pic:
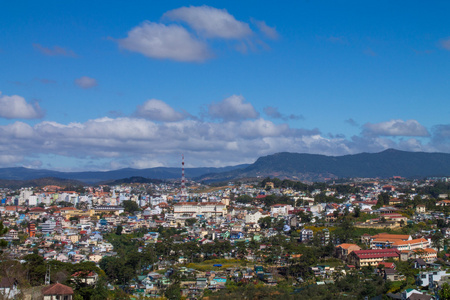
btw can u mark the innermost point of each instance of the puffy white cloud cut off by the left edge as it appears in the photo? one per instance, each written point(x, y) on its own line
point(15, 107)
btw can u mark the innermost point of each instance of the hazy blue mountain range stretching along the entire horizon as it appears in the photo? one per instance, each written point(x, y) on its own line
point(304, 167)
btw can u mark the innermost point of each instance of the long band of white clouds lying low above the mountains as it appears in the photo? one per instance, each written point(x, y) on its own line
point(233, 132)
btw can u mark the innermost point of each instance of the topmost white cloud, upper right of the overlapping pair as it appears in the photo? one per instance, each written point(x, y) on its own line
point(211, 22)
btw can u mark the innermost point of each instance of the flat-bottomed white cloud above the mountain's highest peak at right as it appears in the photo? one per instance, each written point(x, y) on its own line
point(395, 128)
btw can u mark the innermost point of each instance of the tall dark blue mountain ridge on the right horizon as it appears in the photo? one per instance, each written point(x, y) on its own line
point(313, 167)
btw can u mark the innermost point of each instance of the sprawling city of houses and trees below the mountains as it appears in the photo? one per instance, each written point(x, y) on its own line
point(259, 232)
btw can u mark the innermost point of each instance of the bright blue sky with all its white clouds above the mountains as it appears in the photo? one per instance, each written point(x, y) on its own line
point(100, 85)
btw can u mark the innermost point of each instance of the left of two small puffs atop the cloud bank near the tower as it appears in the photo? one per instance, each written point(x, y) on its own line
point(158, 110)
